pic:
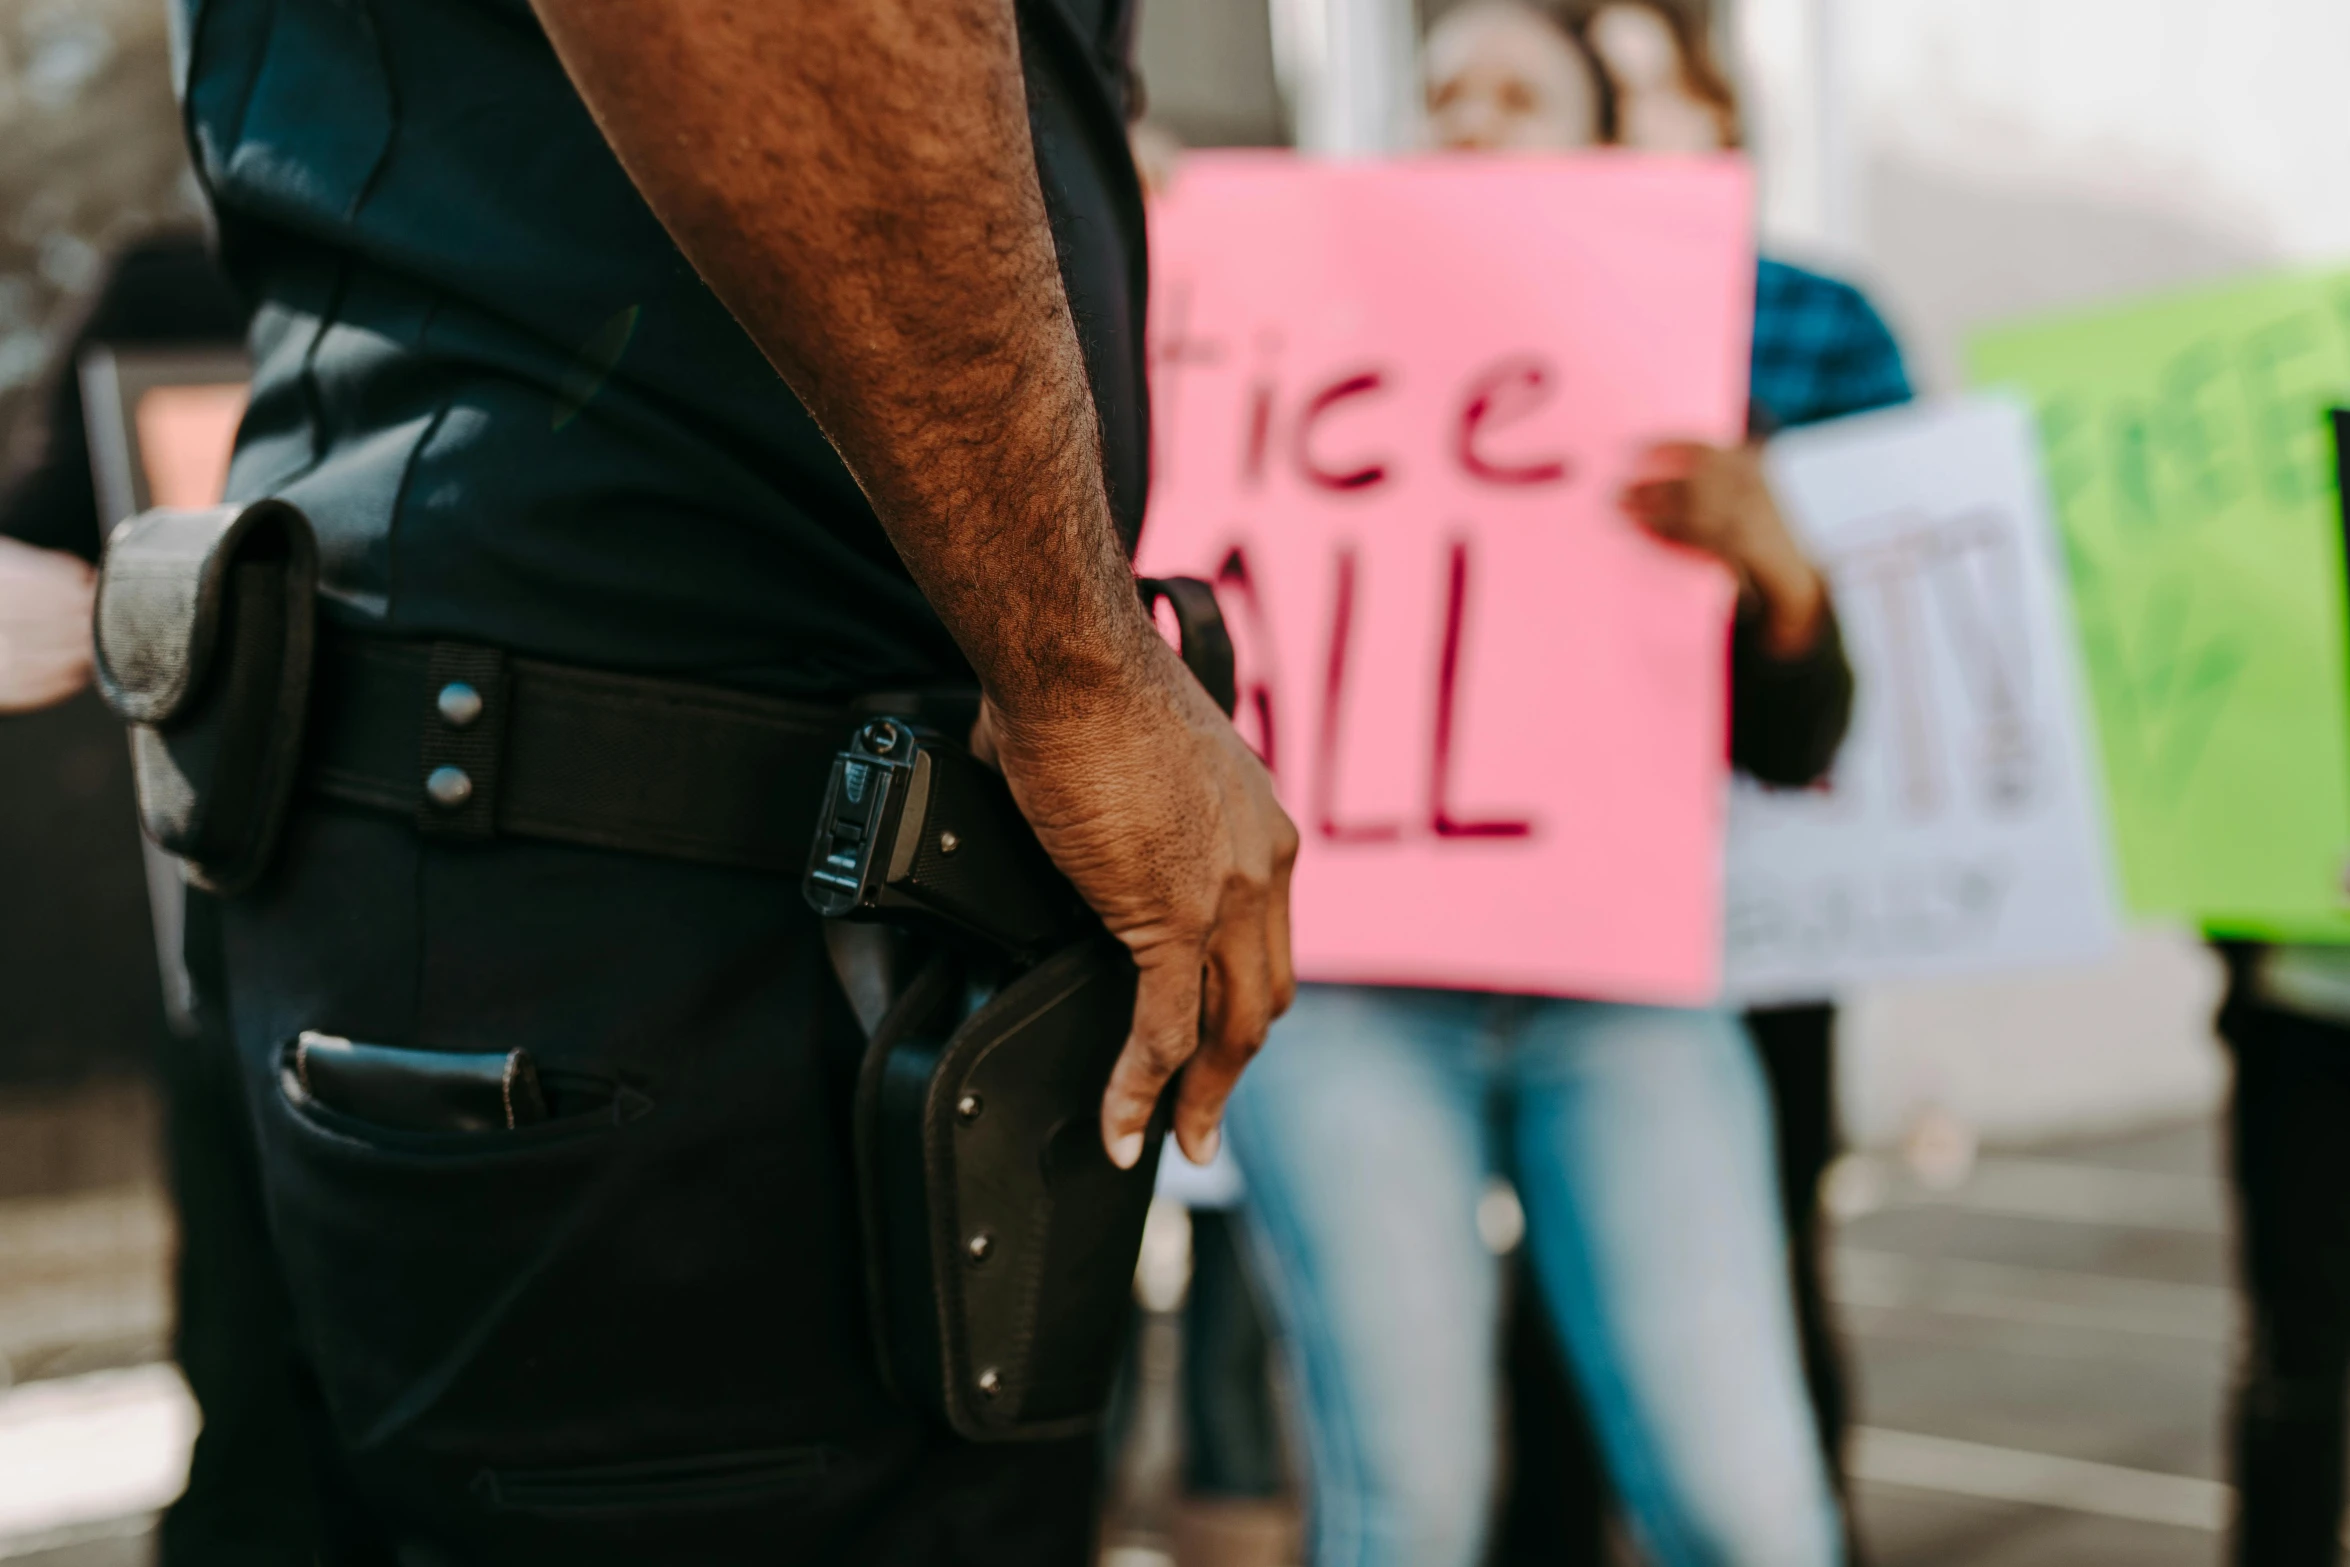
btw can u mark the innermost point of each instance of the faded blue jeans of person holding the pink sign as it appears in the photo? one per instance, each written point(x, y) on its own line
point(1639, 1143)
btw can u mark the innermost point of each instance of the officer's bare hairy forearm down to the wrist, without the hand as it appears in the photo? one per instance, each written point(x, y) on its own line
point(857, 184)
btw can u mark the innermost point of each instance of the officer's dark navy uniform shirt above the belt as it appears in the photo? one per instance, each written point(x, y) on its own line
point(506, 401)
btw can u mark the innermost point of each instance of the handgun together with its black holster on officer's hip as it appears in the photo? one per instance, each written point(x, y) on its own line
point(1000, 1242)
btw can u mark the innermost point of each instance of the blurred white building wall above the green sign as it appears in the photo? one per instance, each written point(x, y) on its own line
point(1996, 159)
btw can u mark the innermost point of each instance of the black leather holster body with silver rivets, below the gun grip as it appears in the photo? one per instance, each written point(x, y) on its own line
point(1000, 1242)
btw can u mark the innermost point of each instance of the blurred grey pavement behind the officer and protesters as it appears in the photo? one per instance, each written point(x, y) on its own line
point(2043, 1352)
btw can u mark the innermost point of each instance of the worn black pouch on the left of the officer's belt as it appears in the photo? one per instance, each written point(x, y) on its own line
point(206, 635)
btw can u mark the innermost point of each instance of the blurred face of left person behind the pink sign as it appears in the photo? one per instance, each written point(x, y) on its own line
point(1503, 79)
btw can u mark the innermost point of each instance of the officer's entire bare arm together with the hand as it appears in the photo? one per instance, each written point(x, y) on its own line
point(857, 182)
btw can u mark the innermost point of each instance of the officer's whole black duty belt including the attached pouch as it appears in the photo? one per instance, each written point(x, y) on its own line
point(210, 650)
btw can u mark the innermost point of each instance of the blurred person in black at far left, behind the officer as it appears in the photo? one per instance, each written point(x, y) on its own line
point(250, 1486)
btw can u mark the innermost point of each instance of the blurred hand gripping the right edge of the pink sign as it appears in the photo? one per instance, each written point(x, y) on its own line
point(1719, 499)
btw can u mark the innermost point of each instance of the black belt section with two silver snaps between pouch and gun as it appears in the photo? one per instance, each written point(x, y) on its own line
point(476, 744)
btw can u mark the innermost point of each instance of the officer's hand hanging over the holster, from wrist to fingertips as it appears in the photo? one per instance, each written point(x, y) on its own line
point(1162, 816)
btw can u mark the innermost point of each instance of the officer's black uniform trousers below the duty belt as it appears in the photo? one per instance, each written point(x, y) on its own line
point(624, 1336)
